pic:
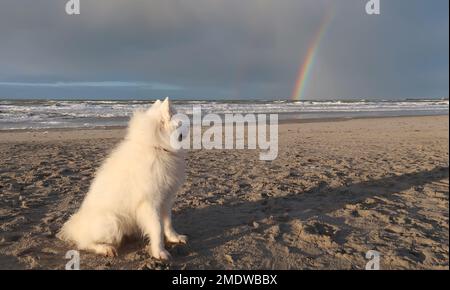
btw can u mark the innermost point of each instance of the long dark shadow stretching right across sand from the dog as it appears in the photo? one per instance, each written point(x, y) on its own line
point(212, 226)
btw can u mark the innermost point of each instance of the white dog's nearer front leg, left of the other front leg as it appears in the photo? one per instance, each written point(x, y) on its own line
point(149, 220)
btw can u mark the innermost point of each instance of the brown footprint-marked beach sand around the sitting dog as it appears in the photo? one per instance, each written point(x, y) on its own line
point(336, 190)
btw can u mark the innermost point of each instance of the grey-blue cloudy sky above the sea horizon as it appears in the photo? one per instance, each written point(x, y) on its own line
point(223, 49)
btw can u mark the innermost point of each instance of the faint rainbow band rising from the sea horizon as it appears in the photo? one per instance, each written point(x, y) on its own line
point(305, 68)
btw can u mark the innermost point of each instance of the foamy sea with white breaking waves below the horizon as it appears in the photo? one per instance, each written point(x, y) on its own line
point(48, 114)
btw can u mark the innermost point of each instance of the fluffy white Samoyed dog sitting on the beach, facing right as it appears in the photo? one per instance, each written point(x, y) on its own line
point(134, 189)
